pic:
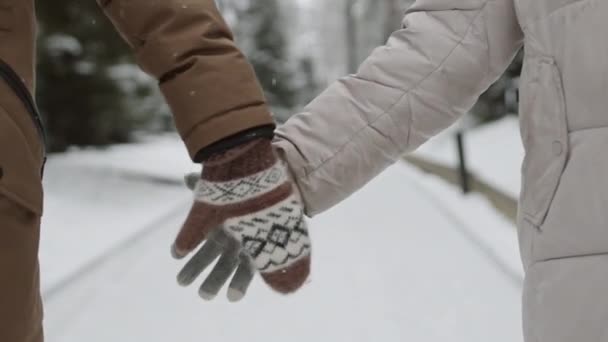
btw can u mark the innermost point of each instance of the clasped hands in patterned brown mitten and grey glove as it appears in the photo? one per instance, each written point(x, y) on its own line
point(248, 212)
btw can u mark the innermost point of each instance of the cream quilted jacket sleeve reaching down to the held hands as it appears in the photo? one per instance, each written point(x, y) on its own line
point(429, 73)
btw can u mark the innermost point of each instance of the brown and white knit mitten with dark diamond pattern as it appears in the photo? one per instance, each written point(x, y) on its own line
point(247, 192)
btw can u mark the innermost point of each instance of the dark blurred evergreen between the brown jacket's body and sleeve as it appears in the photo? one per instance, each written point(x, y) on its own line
point(84, 101)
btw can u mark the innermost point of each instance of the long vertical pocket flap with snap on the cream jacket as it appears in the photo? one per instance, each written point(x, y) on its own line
point(545, 137)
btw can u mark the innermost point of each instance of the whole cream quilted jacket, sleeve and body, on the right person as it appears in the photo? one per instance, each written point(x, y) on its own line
point(429, 74)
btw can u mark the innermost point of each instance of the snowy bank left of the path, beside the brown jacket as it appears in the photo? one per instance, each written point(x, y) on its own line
point(96, 199)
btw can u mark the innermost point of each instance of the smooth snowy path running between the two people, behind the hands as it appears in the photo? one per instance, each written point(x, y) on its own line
point(389, 265)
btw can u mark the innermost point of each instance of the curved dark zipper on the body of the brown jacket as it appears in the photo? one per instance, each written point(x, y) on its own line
point(16, 84)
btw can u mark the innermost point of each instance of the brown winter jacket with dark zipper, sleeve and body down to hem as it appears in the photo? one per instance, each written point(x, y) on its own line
point(207, 82)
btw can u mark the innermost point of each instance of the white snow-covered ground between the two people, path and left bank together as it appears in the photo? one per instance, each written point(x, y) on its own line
point(405, 259)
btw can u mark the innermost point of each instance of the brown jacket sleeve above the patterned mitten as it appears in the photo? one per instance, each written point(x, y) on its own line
point(207, 82)
